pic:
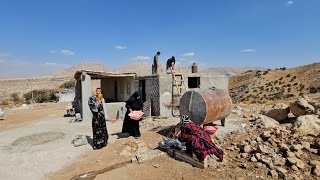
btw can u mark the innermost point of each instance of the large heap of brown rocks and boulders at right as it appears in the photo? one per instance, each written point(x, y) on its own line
point(285, 139)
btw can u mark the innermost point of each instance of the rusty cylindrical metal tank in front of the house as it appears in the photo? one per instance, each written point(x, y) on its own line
point(206, 106)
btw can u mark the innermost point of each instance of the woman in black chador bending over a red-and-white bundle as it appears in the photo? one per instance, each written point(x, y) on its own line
point(134, 103)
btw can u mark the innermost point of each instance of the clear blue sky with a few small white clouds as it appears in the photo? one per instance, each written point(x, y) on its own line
point(41, 36)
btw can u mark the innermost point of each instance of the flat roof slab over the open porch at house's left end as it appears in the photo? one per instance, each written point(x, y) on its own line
point(101, 74)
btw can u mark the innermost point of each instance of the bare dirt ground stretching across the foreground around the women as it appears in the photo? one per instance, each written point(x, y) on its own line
point(36, 144)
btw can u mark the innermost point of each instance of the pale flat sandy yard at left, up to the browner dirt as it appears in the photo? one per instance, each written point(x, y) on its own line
point(37, 141)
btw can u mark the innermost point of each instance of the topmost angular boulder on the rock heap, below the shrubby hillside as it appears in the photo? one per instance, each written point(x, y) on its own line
point(301, 107)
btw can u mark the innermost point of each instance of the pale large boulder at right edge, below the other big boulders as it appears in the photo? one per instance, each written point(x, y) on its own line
point(308, 124)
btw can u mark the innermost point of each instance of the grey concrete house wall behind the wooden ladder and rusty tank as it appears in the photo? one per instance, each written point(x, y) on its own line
point(165, 86)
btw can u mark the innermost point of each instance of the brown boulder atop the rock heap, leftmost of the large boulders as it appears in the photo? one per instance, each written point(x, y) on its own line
point(278, 111)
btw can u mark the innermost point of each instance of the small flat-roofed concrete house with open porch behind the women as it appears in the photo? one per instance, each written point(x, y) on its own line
point(158, 92)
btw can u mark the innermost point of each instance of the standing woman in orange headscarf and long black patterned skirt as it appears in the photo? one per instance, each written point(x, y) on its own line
point(99, 128)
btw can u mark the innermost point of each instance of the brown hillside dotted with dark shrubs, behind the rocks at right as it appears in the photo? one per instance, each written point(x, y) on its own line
point(280, 84)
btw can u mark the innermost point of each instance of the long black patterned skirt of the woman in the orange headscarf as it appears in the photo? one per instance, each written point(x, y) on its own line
point(100, 132)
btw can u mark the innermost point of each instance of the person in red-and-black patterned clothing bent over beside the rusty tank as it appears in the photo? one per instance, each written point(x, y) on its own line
point(197, 140)
